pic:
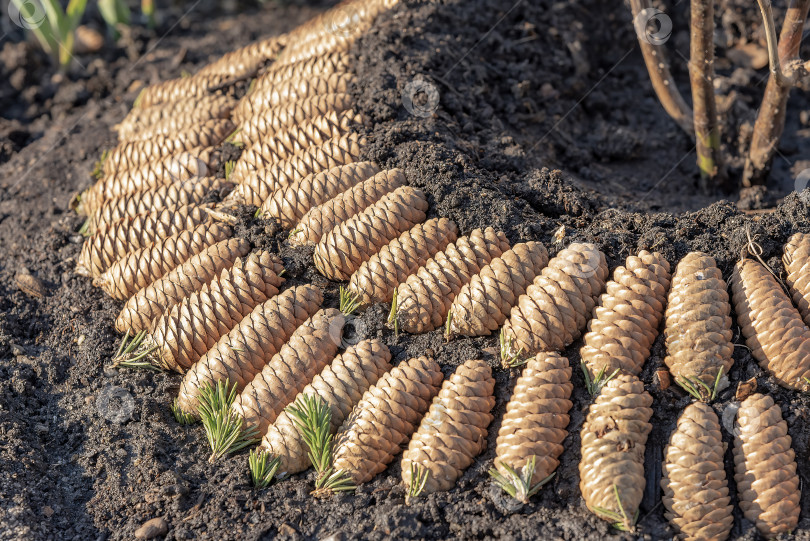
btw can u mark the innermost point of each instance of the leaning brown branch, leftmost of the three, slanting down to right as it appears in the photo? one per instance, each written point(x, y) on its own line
point(658, 68)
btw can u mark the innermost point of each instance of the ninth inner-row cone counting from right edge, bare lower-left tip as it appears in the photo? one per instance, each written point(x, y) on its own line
point(352, 243)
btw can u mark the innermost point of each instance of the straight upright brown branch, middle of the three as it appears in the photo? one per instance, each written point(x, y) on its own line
point(701, 75)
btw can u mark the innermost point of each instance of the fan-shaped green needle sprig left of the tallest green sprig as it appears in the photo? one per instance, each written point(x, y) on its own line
point(223, 428)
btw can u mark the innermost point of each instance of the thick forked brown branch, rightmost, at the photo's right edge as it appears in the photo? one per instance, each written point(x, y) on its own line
point(786, 71)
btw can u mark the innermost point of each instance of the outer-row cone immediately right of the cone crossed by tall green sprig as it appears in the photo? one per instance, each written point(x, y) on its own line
point(385, 418)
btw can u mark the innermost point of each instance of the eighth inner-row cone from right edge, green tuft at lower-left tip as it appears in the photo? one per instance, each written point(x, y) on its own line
point(377, 278)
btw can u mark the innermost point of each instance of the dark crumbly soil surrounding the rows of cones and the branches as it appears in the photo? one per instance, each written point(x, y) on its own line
point(545, 120)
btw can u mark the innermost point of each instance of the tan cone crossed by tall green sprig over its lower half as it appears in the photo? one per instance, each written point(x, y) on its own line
point(341, 385)
